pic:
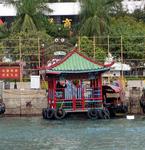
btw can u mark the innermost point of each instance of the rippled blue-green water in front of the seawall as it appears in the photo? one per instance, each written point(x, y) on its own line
point(38, 134)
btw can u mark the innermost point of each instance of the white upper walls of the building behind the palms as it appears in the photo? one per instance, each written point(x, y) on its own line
point(70, 8)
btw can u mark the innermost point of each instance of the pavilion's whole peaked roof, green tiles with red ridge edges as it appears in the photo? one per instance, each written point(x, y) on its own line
point(75, 62)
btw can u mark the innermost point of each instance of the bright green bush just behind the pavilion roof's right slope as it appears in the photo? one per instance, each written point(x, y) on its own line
point(87, 48)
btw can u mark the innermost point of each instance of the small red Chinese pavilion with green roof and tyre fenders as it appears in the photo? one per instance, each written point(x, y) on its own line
point(75, 85)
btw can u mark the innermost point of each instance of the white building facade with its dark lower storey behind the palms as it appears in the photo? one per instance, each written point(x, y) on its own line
point(64, 9)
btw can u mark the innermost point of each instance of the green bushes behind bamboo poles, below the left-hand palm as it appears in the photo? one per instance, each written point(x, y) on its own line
point(28, 43)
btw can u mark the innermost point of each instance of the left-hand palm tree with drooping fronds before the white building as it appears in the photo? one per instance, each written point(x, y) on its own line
point(30, 15)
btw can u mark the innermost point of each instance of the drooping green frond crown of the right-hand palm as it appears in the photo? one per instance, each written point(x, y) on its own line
point(94, 16)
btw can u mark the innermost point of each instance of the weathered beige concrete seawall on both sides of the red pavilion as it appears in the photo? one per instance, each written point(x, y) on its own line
point(26, 101)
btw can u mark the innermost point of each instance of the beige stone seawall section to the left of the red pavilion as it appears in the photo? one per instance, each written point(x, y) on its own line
point(24, 101)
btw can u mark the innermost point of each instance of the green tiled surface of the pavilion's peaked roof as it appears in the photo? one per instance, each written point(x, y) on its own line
point(77, 63)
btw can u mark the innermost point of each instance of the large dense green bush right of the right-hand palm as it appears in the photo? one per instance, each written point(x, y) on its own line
point(132, 33)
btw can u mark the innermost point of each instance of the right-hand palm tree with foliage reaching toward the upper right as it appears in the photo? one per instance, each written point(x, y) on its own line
point(95, 16)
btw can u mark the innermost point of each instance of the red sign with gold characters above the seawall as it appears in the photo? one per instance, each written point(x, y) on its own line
point(9, 72)
